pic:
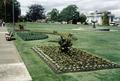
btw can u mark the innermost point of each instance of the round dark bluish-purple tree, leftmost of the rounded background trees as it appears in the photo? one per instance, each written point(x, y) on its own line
point(35, 12)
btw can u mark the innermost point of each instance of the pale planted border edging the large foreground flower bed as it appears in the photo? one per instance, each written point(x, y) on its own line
point(58, 69)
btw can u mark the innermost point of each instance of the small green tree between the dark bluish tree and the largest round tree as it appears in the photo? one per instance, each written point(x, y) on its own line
point(54, 14)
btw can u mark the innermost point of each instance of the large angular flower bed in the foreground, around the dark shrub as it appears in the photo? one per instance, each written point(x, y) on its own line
point(76, 61)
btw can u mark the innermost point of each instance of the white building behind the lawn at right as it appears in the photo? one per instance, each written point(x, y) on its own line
point(97, 16)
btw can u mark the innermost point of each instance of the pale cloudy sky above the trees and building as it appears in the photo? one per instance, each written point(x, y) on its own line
point(84, 5)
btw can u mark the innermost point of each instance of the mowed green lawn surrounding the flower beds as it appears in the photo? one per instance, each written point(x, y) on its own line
point(103, 44)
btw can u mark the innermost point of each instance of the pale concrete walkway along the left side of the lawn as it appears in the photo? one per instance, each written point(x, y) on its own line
point(12, 67)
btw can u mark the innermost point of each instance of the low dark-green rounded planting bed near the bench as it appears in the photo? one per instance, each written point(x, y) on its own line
point(28, 36)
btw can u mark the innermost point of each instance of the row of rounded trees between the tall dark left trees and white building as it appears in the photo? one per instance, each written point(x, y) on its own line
point(70, 14)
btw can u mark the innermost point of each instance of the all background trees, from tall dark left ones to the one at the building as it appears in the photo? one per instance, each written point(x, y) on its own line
point(36, 12)
